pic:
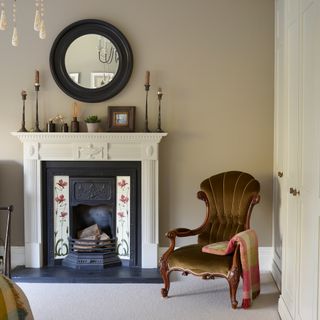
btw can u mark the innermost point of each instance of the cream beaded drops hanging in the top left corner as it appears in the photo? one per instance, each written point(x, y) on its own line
point(39, 25)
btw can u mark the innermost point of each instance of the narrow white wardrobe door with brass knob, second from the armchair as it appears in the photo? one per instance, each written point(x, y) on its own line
point(291, 239)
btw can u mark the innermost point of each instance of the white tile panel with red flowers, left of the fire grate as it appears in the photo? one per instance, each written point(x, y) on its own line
point(61, 216)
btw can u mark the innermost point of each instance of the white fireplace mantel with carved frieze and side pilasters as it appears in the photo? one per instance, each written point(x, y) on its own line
point(83, 146)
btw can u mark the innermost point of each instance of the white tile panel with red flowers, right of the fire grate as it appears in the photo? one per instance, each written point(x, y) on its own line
point(123, 216)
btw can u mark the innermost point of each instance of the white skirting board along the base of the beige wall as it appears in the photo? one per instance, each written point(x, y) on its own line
point(265, 256)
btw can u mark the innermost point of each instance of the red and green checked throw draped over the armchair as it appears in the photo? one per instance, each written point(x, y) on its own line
point(249, 261)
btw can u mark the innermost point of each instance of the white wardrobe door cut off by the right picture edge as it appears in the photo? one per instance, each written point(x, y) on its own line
point(310, 175)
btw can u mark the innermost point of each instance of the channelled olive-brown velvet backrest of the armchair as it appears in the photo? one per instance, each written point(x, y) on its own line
point(230, 195)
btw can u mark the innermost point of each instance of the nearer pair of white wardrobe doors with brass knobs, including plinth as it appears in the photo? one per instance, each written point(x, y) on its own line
point(300, 269)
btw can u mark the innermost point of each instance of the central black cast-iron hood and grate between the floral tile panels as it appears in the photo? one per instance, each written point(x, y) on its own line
point(92, 207)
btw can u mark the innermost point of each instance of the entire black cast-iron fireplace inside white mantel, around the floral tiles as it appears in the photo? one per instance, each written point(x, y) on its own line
point(92, 194)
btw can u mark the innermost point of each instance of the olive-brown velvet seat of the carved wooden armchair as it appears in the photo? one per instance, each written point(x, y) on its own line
point(191, 258)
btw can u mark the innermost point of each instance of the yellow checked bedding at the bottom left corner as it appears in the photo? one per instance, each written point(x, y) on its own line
point(14, 304)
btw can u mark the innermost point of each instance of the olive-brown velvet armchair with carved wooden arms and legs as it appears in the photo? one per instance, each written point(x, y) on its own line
point(229, 199)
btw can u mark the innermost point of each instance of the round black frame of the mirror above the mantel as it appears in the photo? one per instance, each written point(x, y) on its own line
point(58, 67)
